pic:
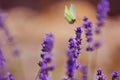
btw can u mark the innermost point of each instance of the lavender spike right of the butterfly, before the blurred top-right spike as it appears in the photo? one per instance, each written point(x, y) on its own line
point(88, 33)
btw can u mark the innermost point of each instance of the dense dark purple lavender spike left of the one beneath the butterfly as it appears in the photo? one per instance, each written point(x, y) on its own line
point(71, 62)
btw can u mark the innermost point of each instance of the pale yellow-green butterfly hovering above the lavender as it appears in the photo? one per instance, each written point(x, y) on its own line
point(70, 14)
